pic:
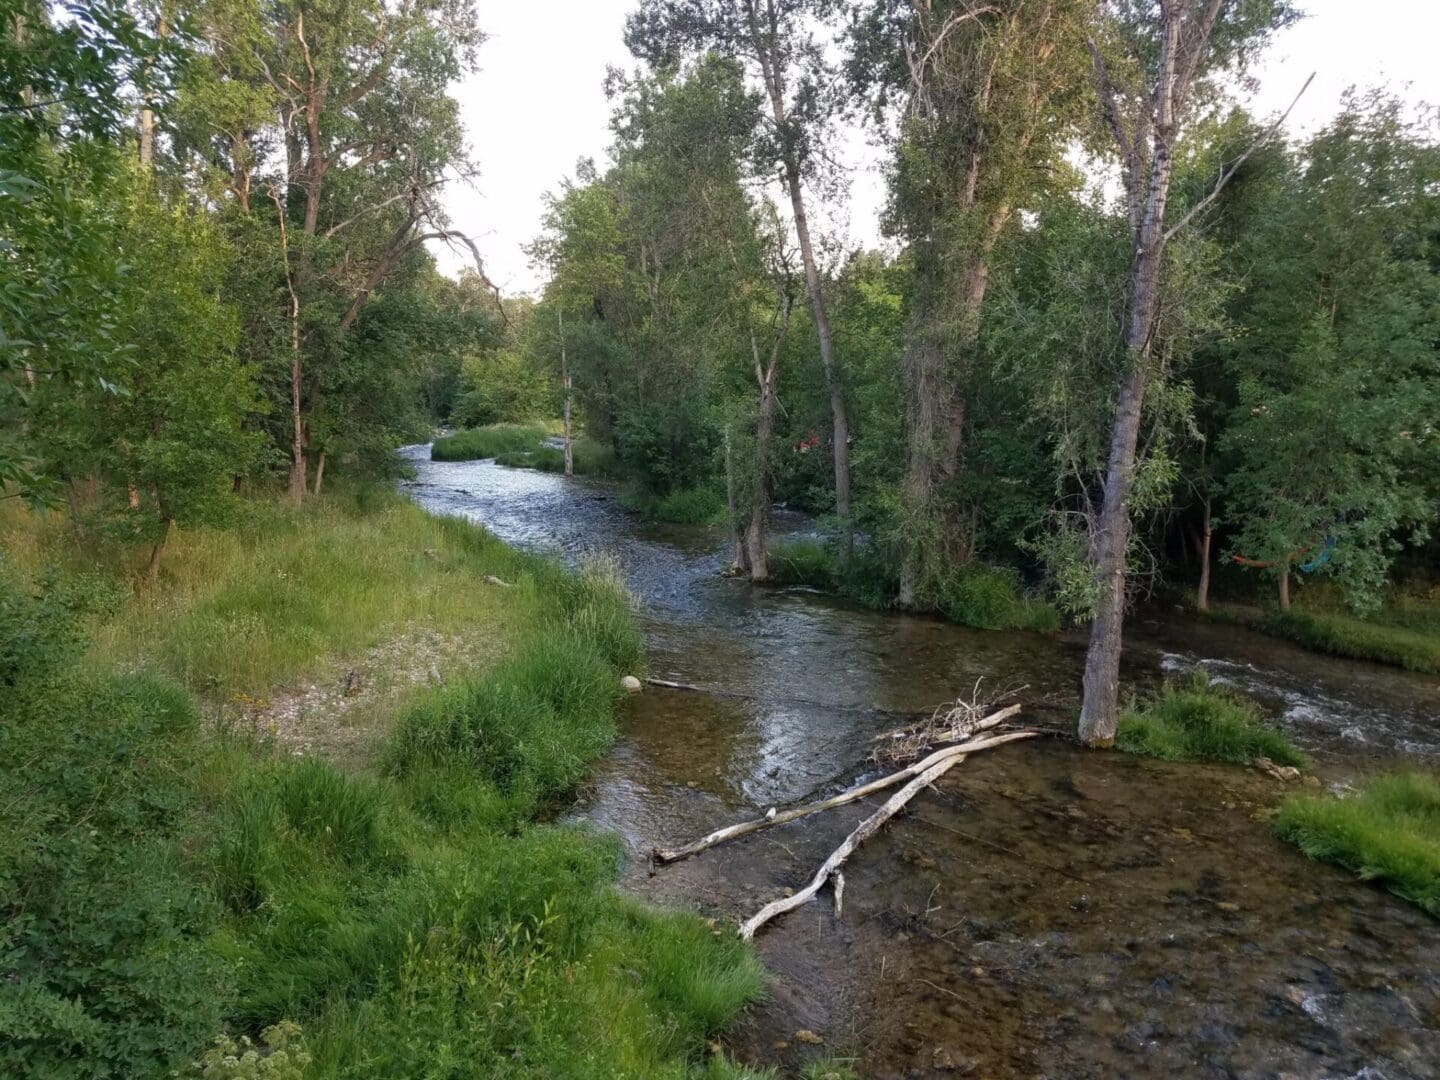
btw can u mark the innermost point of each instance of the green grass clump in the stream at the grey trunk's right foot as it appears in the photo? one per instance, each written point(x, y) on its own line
point(1197, 721)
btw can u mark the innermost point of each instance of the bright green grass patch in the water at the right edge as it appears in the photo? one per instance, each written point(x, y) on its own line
point(1389, 832)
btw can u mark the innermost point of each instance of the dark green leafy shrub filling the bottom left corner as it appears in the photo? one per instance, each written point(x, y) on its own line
point(104, 966)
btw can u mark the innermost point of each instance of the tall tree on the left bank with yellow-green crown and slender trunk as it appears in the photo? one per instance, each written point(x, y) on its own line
point(355, 97)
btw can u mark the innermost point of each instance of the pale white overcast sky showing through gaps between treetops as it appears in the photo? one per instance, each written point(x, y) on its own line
point(538, 106)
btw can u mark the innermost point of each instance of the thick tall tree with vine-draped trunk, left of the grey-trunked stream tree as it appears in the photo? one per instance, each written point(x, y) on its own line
point(989, 100)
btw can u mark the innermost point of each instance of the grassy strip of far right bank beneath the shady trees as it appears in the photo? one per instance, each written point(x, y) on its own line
point(1406, 633)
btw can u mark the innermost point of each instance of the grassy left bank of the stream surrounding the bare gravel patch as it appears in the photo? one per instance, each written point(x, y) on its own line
point(415, 917)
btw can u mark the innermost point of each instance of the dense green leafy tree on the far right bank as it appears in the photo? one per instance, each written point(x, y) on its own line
point(1331, 444)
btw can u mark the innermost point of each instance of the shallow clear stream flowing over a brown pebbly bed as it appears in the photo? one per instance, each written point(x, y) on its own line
point(1046, 911)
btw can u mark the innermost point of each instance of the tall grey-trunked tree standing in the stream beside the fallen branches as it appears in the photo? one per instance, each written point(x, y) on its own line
point(1150, 57)
